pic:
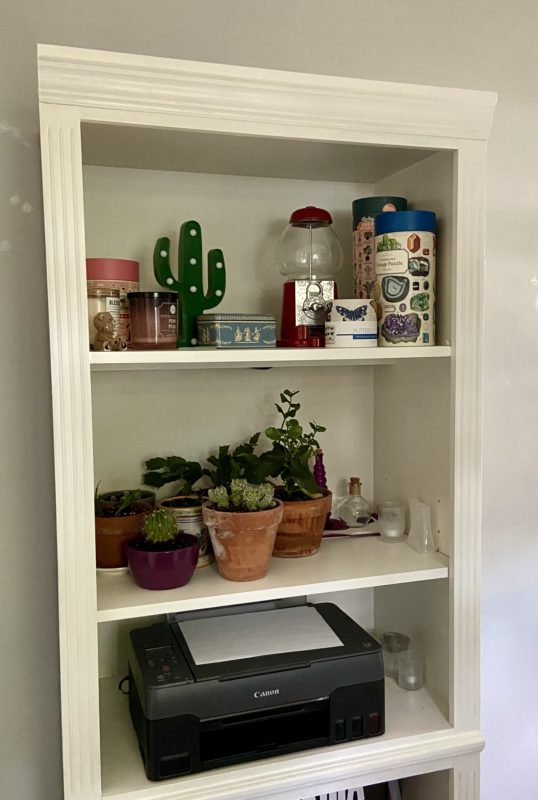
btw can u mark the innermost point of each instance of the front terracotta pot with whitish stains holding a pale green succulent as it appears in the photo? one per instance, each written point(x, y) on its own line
point(243, 541)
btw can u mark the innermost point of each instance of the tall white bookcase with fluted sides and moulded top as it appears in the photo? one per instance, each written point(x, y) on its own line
point(133, 145)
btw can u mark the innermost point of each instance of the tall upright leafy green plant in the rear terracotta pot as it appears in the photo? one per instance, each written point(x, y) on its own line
point(292, 450)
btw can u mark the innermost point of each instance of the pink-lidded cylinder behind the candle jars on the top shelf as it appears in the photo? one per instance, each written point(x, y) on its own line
point(116, 273)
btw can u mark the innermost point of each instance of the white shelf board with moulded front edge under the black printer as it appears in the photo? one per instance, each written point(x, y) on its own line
point(416, 730)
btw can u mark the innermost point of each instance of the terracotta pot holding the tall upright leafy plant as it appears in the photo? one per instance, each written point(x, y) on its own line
point(303, 522)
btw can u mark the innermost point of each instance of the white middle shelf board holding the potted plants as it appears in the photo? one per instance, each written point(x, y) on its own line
point(341, 564)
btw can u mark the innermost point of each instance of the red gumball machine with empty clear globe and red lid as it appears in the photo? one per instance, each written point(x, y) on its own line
point(309, 254)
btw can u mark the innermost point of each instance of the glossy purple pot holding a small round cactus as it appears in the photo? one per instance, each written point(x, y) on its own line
point(163, 569)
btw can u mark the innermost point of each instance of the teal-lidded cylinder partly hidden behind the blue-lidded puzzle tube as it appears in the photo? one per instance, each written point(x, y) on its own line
point(365, 209)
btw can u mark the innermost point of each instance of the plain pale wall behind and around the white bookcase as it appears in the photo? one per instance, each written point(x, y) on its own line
point(482, 44)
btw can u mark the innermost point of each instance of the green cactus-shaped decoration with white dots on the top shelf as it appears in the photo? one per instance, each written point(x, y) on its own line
point(189, 283)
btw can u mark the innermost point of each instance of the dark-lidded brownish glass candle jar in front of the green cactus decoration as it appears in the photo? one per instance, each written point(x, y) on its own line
point(153, 320)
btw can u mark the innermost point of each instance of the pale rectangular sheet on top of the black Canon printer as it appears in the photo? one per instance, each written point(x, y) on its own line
point(258, 633)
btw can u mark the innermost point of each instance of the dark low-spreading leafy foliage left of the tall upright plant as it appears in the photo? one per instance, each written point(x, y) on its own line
point(224, 466)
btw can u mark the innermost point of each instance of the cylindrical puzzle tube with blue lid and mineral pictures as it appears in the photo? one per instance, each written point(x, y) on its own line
point(405, 244)
